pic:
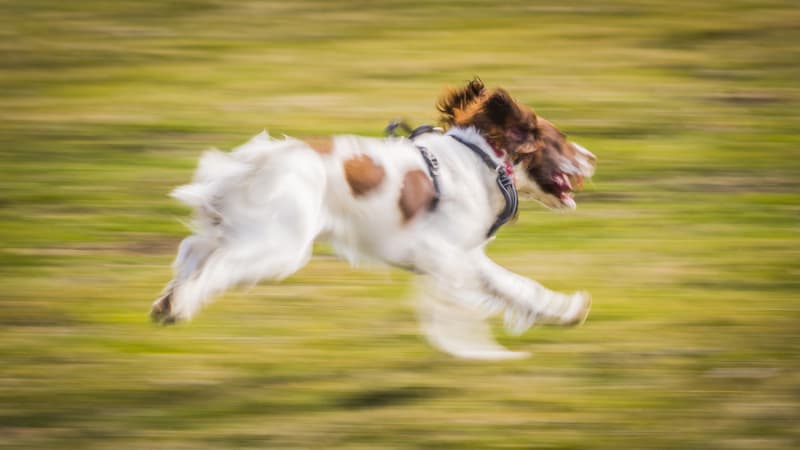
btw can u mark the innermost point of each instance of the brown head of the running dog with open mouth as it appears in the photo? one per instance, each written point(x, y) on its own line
point(546, 165)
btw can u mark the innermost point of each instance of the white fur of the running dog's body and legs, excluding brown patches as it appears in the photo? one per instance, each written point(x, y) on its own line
point(260, 208)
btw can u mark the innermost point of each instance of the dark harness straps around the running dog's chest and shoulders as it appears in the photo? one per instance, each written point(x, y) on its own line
point(505, 181)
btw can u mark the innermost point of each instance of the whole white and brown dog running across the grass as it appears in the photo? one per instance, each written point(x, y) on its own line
point(429, 205)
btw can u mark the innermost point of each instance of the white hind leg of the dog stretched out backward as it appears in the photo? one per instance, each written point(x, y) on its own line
point(266, 225)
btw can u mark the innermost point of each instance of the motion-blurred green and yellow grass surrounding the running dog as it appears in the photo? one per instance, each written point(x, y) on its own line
point(687, 238)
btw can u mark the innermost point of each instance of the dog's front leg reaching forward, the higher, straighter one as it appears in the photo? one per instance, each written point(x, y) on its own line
point(528, 302)
